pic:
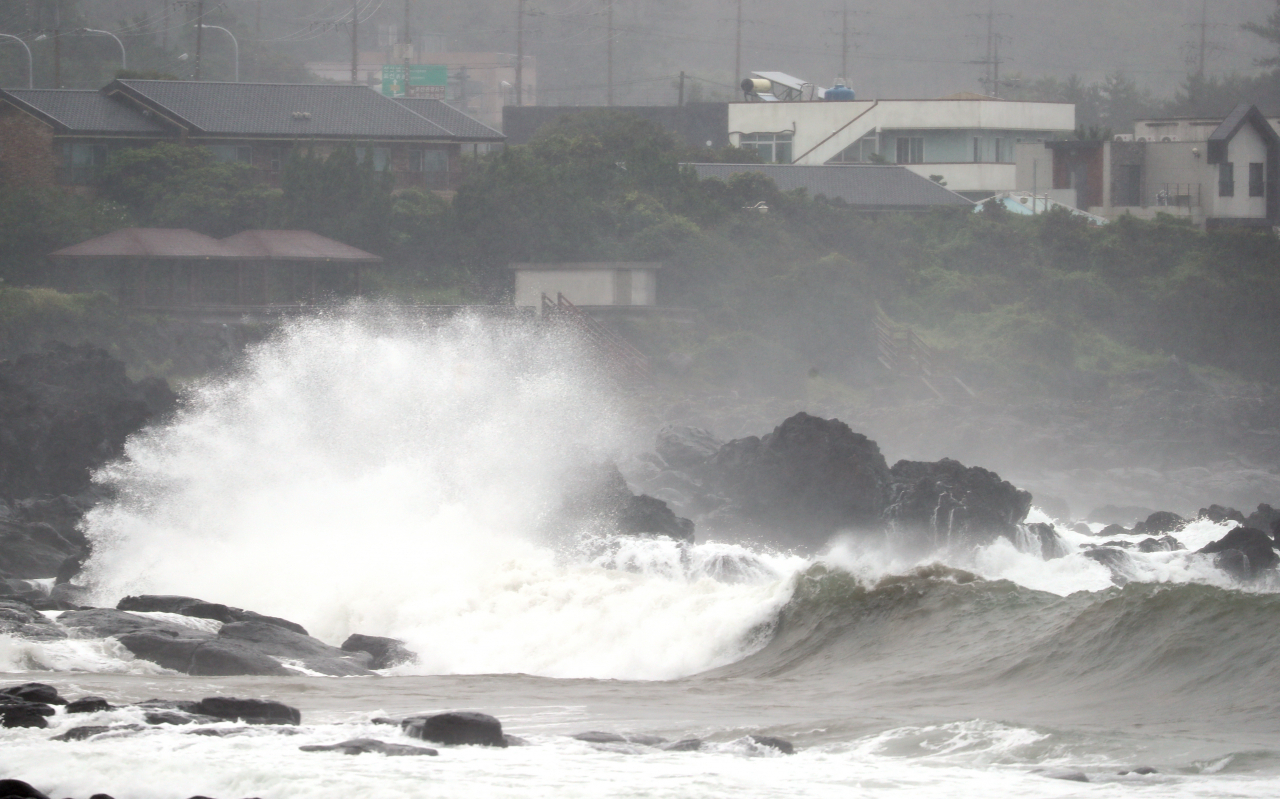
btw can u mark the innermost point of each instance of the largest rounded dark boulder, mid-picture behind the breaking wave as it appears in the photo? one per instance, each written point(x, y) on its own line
point(810, 477)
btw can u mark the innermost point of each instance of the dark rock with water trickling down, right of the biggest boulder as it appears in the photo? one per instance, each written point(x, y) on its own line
point(948, 503)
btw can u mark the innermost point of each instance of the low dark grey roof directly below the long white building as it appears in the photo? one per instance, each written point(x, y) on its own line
point(863, 185)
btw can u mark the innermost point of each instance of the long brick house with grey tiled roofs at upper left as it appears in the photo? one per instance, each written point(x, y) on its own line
point(61, 138)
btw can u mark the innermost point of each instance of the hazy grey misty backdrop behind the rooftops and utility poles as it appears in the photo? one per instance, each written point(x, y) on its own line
point(907, 49)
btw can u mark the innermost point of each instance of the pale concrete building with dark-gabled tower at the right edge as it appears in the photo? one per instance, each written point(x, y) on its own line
point(1220, 176)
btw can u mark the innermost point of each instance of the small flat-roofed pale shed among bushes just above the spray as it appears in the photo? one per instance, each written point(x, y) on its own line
point(595, 284)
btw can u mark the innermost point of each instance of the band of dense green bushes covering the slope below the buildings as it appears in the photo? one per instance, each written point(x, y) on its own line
point(1048, 304)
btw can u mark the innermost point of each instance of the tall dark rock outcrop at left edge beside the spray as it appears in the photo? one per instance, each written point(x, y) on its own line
point(66, 412)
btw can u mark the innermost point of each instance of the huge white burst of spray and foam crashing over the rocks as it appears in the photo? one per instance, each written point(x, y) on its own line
point(368, 474)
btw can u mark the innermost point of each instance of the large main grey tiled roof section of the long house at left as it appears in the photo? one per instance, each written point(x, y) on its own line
point(277, 109)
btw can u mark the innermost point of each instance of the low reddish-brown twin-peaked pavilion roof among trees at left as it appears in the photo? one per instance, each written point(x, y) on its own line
point(163, 244)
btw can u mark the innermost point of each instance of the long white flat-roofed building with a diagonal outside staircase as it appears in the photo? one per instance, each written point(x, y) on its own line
point(970, 140)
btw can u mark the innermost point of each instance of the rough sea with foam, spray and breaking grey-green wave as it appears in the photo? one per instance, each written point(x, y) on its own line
point(369, 474)
